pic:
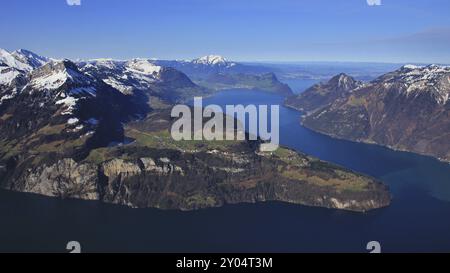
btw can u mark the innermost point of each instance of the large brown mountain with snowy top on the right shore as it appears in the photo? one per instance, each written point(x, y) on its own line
point(407, 109)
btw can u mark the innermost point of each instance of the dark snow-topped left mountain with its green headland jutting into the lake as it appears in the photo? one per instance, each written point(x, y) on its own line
point(89, 130)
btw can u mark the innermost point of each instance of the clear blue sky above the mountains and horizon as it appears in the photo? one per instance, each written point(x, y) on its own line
point(251, 30)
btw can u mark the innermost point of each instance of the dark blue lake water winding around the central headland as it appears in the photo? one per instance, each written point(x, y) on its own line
point(418, 219)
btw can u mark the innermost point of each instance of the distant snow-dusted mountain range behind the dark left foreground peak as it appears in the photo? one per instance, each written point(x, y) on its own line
point(169, 81)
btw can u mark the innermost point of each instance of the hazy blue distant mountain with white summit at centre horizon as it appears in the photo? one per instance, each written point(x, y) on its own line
point(217, 73)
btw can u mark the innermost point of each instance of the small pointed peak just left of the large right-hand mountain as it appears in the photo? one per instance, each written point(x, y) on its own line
point(322, 94)
